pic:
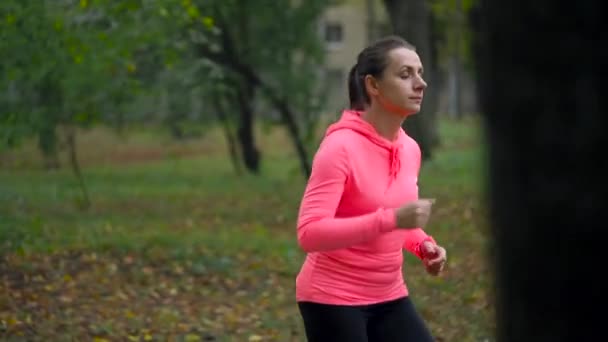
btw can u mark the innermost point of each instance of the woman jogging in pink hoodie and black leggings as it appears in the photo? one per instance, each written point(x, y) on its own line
point(360, 209)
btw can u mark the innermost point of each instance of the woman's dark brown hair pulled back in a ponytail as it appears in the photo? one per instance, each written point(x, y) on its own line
point(373, 60)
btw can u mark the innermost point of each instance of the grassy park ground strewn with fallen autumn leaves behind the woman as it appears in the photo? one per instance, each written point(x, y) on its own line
point(177, 247)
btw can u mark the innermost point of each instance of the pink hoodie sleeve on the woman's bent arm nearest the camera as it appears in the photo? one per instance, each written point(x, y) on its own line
point(318, 228)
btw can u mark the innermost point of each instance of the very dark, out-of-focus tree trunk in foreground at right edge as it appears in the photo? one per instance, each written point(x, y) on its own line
point(540, 75)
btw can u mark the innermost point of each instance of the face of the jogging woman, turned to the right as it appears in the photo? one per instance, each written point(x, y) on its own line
point(401, 87)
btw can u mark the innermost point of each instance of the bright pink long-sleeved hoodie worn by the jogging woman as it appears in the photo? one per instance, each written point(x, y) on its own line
point(346, 222)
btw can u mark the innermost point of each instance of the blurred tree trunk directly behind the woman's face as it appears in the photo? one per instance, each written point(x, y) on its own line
point(411, 19)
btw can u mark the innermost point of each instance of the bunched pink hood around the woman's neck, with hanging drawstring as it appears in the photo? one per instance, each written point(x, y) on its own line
point(352, 120)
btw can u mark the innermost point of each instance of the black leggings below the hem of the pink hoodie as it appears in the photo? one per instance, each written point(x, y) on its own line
point(393, 321)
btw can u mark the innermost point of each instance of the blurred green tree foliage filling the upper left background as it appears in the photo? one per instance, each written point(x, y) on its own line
point(85, 62)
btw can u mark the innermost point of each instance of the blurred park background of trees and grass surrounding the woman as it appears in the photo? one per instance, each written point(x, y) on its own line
point(153, 154)
